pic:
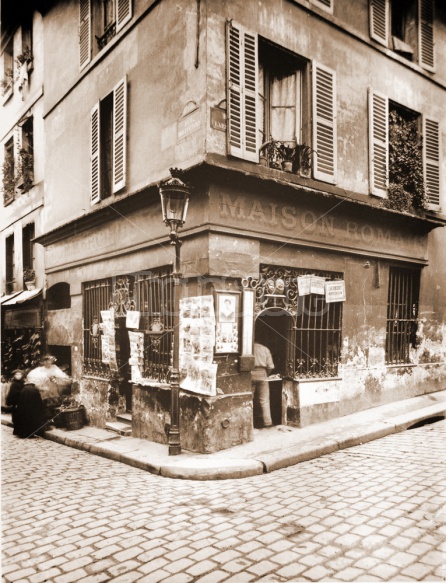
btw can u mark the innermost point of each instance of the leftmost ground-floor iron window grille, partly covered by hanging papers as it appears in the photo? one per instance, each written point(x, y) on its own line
point(97, 297)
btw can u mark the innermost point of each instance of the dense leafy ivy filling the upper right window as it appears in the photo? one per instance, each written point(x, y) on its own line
point(406, 181)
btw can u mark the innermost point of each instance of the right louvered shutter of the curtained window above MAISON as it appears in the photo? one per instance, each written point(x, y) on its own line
point(324, 123)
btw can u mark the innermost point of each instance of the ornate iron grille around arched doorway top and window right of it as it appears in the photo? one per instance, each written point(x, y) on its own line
point(314, 342)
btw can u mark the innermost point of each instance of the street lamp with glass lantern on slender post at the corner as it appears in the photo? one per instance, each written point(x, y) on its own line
point(174, 201)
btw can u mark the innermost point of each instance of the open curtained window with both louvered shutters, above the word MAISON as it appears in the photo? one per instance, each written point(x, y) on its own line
point(271, 103)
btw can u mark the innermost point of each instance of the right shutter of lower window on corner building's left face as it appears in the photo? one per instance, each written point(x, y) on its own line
point(119, 134)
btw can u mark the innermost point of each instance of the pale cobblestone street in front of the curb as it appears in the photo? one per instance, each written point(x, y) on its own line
point(374, 512)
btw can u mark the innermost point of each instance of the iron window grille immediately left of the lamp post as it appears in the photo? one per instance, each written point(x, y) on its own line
point(154, 292)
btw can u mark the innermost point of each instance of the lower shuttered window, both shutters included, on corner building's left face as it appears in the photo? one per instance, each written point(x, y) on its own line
point(108, 143)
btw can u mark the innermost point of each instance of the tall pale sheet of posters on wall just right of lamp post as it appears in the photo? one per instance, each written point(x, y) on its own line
point(197, 340)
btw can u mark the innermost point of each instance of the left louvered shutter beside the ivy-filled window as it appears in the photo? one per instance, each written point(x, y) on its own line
point(378, 143)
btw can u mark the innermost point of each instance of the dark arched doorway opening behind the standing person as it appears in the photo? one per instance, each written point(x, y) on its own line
point(274, 329)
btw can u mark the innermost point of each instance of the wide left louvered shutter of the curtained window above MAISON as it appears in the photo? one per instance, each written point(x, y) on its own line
point(242, 67)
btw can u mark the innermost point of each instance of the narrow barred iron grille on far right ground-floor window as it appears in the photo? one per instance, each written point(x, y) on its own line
point(402, 313)
